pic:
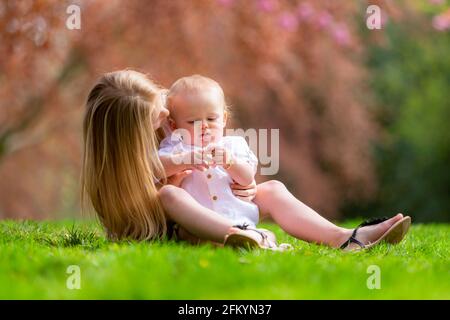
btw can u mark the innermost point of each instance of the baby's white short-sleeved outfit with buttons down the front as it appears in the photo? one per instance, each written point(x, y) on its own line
point(211, 188)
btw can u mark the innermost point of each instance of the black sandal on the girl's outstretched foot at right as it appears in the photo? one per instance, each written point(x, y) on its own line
point(393, 235)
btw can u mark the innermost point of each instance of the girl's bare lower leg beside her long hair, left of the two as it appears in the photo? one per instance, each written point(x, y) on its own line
point(192, 216)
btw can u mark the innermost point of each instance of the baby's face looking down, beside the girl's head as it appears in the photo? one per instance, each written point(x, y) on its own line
point(201, 115)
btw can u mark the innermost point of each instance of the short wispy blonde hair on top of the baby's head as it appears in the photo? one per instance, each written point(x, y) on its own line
point(195, 84)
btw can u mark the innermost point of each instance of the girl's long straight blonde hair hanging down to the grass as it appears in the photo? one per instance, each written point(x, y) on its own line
point(120, 163)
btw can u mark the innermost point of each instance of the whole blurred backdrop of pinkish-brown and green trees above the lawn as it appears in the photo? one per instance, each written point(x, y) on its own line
point(363, 114)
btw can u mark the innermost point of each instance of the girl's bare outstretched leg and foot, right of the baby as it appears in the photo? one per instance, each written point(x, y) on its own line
point(300, 221)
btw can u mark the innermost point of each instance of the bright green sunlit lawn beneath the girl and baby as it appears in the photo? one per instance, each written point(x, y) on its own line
point(34, 257)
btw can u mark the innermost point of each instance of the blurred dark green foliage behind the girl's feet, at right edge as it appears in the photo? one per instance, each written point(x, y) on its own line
point(411, 80)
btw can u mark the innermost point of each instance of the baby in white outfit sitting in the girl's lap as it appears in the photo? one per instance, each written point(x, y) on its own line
point(198, 115)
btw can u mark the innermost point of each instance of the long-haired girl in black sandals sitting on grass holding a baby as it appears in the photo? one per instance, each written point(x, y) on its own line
point(121, 164)
